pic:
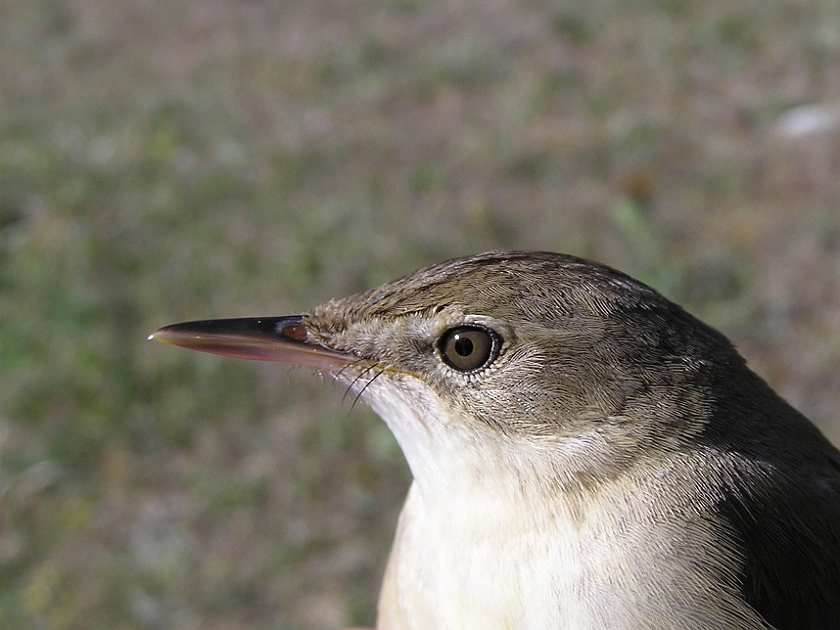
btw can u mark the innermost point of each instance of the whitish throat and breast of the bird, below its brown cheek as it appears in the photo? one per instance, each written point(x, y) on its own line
point(480, 544)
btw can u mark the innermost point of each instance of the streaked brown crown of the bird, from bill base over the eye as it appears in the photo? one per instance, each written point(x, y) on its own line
point(531, 295)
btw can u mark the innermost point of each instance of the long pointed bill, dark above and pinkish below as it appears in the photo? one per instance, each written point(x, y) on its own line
point(262, 338)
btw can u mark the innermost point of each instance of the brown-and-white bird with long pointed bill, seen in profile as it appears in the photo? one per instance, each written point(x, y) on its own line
point(585, 454)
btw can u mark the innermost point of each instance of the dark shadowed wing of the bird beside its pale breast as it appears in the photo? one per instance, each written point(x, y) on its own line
point(788, 527)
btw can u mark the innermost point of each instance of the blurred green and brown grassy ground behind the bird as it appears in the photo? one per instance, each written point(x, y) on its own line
point(182, 159)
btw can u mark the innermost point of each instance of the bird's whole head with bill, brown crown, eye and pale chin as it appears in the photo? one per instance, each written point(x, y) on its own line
point(545, 361)
